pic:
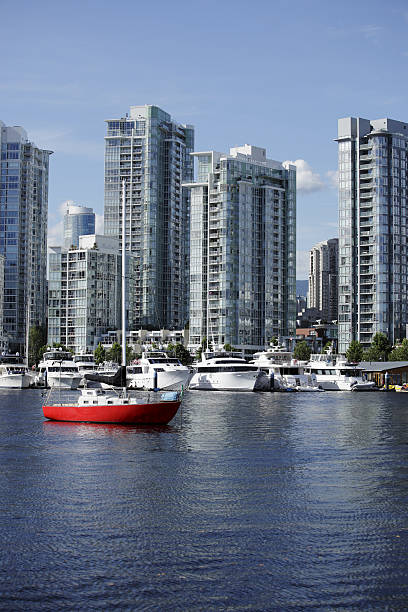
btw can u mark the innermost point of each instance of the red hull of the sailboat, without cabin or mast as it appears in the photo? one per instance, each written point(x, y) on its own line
point(159, 413)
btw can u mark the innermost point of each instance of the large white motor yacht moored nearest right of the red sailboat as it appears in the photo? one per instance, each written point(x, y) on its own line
point(224, 372)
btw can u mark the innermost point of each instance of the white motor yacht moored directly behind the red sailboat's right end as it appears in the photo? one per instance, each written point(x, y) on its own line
point(156, 370)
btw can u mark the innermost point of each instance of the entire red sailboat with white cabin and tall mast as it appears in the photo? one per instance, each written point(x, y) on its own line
point(114, 405)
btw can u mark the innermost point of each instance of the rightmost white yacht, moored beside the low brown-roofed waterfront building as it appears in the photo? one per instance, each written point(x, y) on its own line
point(333, 373)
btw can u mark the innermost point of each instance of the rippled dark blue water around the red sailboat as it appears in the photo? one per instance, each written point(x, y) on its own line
point(245, 502)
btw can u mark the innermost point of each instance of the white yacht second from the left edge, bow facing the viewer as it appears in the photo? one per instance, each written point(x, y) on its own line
point(57, 369)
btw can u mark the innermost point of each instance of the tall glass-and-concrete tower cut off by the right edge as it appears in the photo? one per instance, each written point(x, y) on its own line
point(373, 228)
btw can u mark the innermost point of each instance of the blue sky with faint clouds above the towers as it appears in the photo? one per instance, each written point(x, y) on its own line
point(270, 73)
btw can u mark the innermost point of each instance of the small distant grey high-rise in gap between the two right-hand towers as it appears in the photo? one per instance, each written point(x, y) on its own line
point(323, 276)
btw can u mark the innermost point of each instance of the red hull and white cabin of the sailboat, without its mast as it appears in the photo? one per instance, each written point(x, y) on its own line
point(99, 406)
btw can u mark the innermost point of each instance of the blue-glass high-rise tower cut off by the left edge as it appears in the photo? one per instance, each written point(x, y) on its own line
point(23, 233)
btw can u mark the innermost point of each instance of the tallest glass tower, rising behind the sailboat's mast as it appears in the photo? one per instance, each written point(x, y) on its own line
point(151, 153)
